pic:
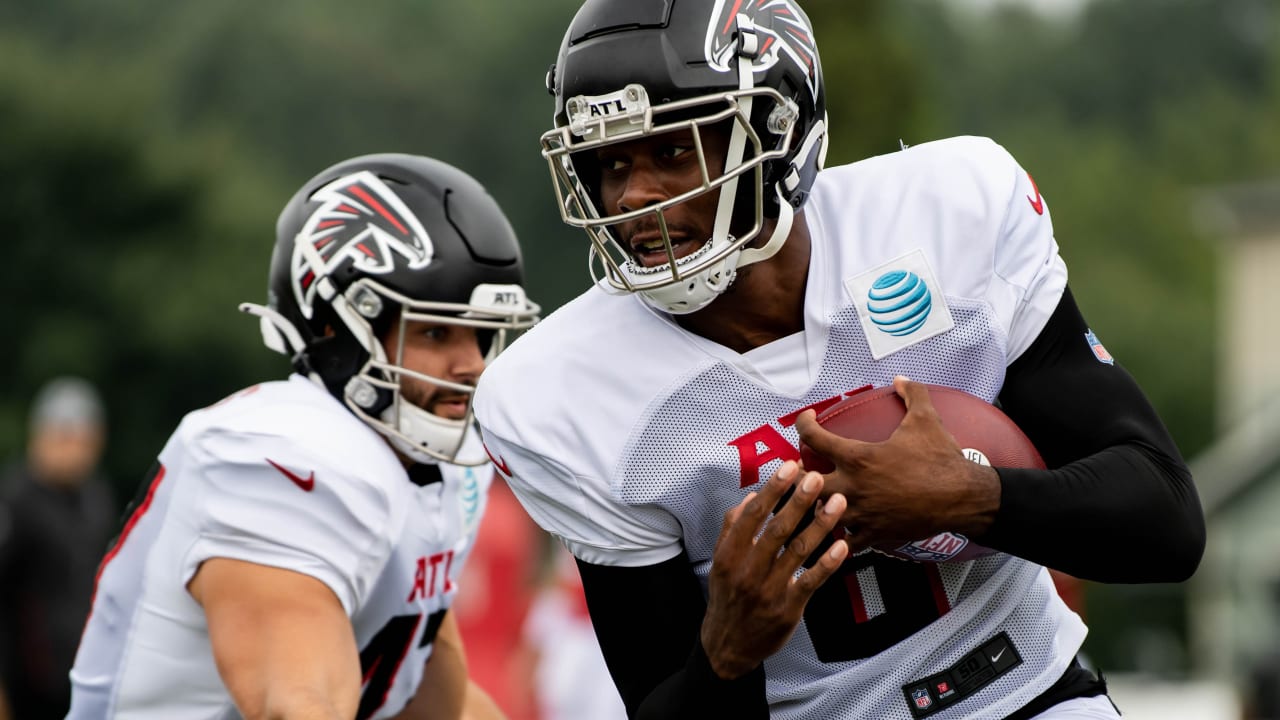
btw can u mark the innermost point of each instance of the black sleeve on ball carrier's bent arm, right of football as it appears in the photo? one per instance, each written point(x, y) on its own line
point(1119, 504)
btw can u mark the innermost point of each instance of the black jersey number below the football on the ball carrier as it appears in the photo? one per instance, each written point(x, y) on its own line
point(872, 604)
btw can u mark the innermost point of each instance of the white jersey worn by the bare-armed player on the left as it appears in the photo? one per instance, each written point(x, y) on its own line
point(280, 475)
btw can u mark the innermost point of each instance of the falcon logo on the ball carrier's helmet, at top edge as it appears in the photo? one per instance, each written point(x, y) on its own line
point(783, 28)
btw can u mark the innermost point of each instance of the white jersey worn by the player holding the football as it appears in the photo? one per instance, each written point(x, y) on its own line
point(629, 439)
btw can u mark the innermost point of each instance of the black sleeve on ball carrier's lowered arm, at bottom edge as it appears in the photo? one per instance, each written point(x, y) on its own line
point(648, 622)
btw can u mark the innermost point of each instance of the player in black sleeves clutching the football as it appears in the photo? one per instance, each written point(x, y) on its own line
point(740, 289)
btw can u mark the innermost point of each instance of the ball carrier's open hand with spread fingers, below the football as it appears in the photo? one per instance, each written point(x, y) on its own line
point(755, 598)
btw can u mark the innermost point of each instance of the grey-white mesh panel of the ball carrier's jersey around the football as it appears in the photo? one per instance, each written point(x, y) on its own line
point(679, 458)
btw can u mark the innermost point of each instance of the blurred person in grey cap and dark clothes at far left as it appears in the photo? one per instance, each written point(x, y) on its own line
point(57, 516)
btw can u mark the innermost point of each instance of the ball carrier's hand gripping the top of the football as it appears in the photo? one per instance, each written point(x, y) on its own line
point(915, 485)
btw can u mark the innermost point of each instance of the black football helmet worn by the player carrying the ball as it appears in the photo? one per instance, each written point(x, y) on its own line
point(634, 69)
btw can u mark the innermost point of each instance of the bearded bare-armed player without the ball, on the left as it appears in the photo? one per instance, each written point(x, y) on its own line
point(299, 544)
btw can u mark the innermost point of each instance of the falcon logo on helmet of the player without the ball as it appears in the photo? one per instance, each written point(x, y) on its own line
point(363, 221)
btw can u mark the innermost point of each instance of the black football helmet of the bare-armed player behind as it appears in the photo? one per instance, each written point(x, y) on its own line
point(391, 239)
